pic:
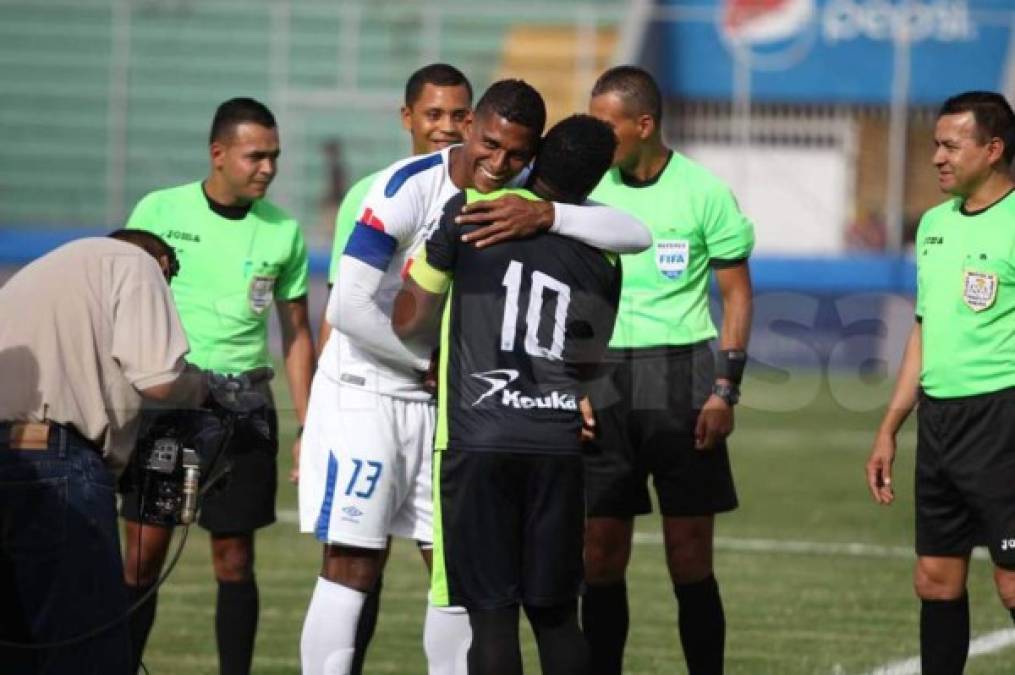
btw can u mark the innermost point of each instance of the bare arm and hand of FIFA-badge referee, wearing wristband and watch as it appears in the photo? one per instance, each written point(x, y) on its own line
point(716, 421)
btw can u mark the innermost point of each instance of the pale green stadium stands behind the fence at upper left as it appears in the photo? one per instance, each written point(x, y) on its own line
point(106, 100)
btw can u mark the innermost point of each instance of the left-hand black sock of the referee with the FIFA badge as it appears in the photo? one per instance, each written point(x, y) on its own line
point(604, 622)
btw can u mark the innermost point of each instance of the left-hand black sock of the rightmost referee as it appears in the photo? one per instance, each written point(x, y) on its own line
point(944, 636)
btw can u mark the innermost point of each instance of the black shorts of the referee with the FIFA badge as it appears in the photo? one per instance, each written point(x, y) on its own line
point(647, 409)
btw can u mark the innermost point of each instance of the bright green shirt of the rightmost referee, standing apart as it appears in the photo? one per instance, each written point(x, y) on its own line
point(966, 299)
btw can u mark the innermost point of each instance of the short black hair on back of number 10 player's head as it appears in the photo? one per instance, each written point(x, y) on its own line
point(574, 157)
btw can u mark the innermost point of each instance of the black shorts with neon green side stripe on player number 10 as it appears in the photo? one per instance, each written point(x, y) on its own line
point(508, 530)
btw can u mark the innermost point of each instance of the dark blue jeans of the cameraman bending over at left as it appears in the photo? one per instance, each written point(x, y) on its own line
point(60, 569)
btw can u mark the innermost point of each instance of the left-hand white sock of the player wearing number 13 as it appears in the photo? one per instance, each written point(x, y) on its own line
point(329, 639)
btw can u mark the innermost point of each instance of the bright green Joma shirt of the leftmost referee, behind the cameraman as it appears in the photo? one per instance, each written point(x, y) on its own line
point(231, 272)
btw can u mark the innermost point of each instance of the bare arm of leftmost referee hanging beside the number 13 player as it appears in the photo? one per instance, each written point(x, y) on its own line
point(298, 350)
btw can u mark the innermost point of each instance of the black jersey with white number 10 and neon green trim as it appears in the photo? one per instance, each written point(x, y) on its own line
point(527, 321)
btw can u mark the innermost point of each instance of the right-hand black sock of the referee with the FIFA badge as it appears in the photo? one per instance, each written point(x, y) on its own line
point(703, 626)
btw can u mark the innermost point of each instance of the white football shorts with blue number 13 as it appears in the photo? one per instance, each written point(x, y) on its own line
point(365, 466)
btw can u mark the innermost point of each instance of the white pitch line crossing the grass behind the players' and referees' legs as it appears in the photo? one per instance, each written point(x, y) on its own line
point(852, 550)
